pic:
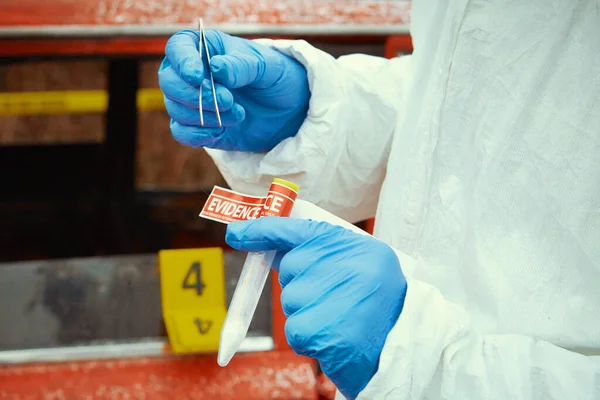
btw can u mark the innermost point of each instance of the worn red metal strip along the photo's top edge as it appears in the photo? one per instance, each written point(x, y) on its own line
point(161, 12)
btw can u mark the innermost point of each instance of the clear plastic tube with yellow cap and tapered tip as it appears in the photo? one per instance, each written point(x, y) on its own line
point(279, 202)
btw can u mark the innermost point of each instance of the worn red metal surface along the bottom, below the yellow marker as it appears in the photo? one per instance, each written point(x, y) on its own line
point(272, 375)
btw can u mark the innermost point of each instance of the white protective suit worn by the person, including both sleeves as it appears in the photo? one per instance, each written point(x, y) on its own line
point(480, 154)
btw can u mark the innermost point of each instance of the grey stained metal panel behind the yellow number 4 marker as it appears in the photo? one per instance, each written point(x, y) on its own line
point(46, 304)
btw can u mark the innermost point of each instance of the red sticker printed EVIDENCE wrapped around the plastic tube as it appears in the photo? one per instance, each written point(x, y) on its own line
point(227, 206)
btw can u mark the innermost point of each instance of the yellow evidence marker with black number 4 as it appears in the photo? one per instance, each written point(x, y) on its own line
point(192, 286)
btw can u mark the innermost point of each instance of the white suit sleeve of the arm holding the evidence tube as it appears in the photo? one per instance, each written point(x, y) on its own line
point(433, 338)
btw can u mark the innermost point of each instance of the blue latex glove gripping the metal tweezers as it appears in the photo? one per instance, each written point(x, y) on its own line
point(262, 94)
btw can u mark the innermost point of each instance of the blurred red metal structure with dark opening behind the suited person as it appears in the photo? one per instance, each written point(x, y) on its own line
point(92, 186)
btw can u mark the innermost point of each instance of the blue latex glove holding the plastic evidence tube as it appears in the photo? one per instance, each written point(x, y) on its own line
point(342, 292)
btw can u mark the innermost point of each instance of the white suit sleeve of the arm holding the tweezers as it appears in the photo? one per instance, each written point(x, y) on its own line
point(338, 158)
